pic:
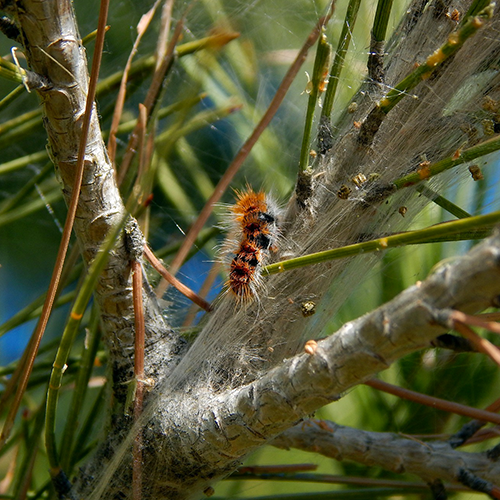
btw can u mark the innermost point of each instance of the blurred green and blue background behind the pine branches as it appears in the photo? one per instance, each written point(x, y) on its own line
point(246, 72)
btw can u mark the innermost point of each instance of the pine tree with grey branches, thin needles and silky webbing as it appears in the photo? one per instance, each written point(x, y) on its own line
point(184, 407)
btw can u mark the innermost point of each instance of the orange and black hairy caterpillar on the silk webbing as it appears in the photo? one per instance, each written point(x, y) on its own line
point(256, 220)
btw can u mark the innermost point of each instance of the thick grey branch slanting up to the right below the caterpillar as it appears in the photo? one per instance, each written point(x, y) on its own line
point(214, 432)
